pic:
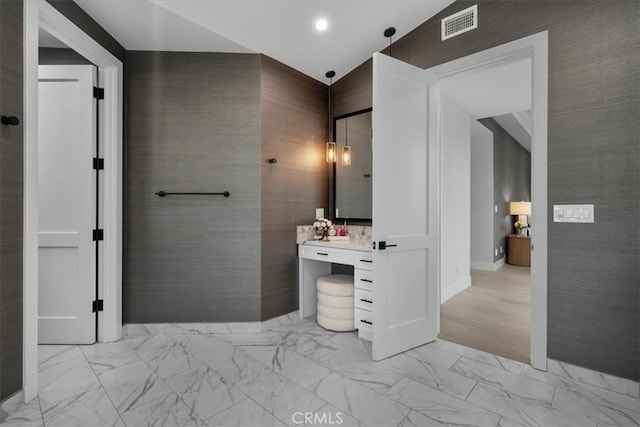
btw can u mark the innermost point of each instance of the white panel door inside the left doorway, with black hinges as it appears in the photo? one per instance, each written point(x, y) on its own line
point(66, 204)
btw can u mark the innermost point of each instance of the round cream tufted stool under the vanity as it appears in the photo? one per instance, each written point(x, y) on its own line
point(335, 302)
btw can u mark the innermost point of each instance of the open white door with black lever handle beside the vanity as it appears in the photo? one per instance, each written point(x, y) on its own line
point(405, 207)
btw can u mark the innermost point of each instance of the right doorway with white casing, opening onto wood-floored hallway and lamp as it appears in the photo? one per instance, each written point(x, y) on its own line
point(502, 84)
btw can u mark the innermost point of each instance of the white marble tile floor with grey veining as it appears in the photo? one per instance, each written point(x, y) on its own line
point(301, 374)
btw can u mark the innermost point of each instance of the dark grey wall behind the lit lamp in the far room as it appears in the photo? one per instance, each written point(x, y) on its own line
point(511, 182)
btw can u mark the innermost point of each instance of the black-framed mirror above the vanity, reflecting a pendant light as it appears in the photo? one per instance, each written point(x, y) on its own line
point(352, 183)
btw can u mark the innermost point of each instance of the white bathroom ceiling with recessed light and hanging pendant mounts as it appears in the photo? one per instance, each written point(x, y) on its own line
point(283, 29)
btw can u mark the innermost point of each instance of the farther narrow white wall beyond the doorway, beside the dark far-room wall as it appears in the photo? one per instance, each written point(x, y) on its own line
point(482, 203)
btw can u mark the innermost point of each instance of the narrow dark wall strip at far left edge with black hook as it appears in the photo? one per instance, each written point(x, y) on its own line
point(11, 192)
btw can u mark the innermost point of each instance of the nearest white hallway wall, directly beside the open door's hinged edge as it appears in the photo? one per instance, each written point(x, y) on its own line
point(456, 203)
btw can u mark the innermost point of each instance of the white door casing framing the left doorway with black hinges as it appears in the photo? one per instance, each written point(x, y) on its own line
point(39, 13)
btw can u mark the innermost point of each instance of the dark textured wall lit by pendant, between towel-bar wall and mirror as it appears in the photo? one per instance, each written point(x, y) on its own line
point(294, 130)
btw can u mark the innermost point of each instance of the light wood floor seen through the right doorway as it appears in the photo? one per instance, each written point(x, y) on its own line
point(493, 314)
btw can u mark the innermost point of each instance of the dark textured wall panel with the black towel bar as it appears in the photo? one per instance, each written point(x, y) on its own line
point(193, 126)
